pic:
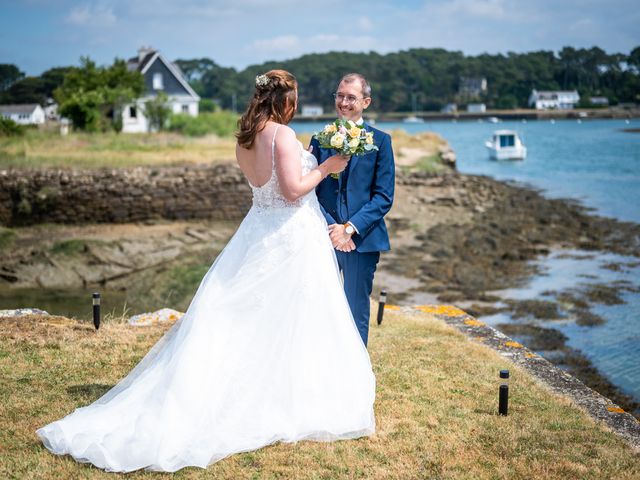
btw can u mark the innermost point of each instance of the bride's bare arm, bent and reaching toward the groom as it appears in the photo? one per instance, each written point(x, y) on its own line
point(289, 170)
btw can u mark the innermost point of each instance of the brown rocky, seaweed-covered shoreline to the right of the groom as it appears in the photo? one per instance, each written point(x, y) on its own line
point(459, 238)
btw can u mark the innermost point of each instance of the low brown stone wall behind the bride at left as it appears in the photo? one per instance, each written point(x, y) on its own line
point(122, 195)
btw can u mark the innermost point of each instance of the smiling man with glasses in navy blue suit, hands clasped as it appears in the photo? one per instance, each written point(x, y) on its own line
point(356, 203)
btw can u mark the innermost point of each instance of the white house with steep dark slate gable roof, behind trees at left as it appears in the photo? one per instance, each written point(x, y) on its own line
point(160, 75)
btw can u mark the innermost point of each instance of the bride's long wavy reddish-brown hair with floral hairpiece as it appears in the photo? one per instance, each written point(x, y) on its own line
point(274, 99)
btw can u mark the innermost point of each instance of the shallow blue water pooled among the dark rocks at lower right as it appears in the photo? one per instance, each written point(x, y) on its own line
point(614, 346)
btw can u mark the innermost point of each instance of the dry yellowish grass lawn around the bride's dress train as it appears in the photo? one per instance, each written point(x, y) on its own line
point(435, 410)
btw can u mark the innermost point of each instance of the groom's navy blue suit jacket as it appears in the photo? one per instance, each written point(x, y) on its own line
point(367, 193)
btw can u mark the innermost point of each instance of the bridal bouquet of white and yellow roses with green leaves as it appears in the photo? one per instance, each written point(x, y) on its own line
point(346, 138)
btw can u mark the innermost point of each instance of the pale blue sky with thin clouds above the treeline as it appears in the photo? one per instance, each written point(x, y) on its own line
point(37, 35)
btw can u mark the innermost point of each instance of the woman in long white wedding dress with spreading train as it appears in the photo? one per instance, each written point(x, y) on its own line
point(267, 351)
